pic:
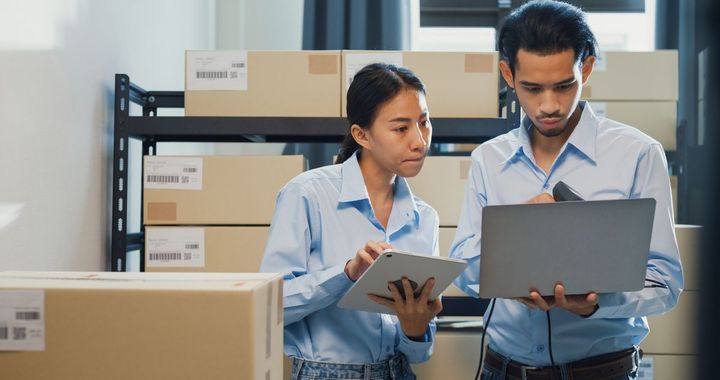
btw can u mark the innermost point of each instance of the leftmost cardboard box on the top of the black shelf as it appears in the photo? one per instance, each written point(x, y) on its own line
point(262, 83)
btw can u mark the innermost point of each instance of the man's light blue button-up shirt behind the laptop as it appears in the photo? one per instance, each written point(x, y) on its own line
point(602, 159)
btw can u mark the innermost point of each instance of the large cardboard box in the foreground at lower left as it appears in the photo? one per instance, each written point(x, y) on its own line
point(96, 325)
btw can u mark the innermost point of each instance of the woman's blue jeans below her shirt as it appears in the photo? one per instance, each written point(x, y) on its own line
point(396, 368)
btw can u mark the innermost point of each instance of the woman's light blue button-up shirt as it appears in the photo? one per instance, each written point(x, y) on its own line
point(322, 218)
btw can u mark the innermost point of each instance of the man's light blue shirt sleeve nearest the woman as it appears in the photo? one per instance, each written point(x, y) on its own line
point(466, 245)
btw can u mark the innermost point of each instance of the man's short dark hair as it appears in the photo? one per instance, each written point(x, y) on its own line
point(546, 27)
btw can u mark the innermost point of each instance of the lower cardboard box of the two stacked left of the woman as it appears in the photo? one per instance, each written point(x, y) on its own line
point(204, 249)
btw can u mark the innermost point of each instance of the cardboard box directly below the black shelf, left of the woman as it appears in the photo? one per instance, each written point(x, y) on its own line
point(212, 190)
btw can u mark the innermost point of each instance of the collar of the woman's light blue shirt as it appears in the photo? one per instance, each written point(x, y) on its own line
point(353, 189)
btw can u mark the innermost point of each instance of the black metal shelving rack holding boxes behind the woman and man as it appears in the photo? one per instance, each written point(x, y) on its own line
point(151, 129)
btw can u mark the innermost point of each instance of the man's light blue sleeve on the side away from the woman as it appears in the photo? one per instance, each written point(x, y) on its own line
point(664, 277)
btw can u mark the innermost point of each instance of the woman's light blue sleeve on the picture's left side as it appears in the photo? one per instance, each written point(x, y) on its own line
point(289, 244)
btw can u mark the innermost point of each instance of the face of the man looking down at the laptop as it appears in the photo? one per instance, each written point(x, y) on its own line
point(548, 87)
